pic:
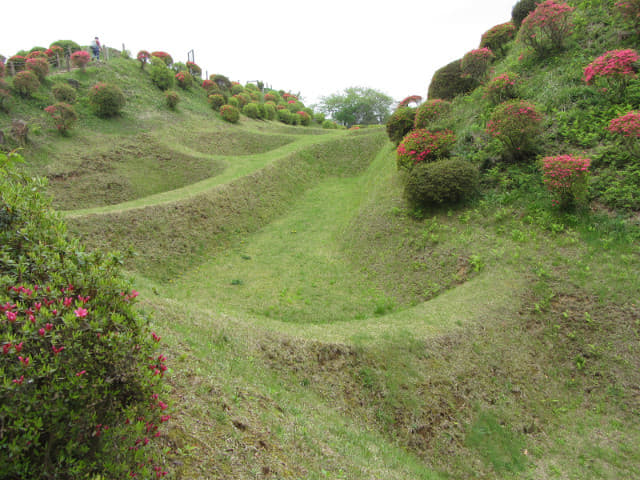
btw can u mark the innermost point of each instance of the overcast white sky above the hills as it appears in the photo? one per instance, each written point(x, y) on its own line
point(315, 48)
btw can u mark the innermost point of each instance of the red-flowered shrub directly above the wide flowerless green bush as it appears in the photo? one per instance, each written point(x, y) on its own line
point(422, 146)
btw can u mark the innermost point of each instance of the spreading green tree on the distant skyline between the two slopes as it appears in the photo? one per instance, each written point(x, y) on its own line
point(357, 105)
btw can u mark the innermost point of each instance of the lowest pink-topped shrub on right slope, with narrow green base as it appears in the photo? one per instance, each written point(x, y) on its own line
point(566, 178)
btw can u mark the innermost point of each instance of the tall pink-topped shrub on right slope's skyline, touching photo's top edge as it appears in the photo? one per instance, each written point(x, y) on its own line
point(547, 27)
